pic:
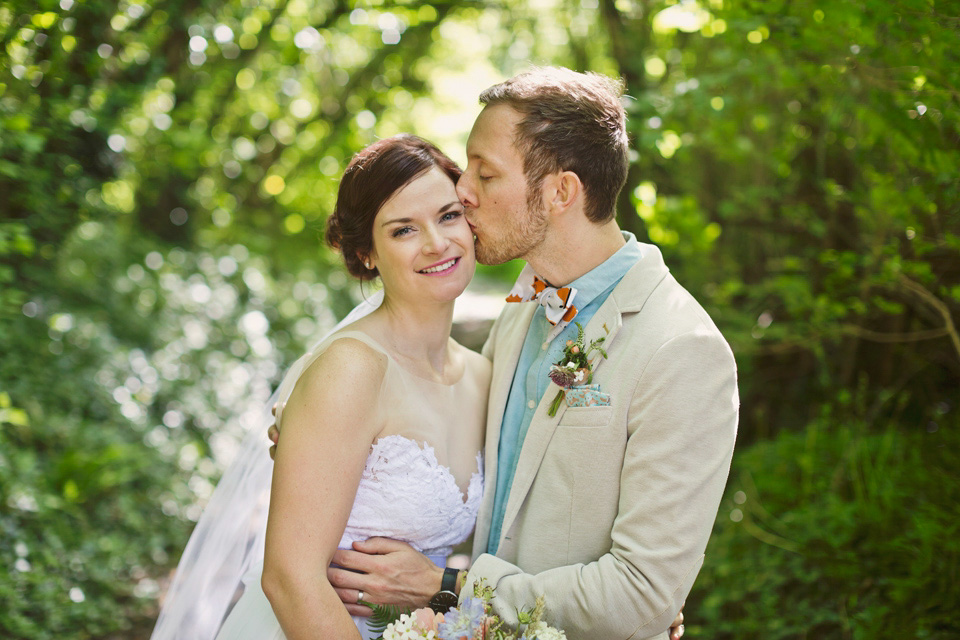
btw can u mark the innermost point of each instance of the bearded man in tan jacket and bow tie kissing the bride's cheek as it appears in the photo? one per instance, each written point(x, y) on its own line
point(605, 510)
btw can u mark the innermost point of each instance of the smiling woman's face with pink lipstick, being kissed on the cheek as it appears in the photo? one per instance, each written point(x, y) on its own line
point(422, 244)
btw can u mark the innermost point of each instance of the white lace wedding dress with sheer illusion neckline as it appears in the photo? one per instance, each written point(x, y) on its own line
point(404, 493)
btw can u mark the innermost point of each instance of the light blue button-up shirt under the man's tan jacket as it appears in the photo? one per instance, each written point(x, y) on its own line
point(530, 380)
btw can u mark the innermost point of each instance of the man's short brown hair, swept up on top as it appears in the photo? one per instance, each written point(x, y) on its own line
point(570, 122)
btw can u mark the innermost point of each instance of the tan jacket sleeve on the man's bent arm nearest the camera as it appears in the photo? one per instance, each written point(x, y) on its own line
point(681, 429)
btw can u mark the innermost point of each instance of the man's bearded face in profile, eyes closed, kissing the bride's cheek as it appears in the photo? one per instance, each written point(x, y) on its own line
point(493, 189)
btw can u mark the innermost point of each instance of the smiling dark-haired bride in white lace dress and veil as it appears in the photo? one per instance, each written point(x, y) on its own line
point(382, 421)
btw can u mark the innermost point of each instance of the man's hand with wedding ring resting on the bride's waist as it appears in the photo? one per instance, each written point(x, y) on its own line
point(391, 572)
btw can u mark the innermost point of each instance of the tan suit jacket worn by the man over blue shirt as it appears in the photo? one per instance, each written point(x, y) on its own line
point(611, 507)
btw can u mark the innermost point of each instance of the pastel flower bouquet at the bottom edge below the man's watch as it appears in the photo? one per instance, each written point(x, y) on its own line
point(471, 620)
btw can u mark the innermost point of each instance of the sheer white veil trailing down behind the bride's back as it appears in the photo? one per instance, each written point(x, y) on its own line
point(228, 538)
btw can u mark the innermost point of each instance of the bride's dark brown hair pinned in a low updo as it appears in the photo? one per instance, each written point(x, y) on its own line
point(371, 178)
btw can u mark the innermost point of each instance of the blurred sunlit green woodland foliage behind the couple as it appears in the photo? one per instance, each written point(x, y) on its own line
point(166, 168)
